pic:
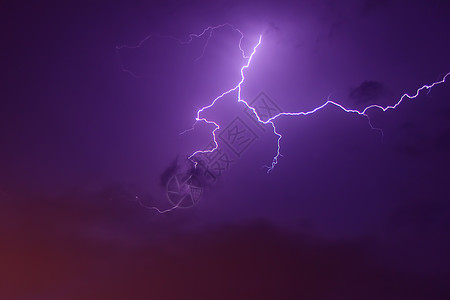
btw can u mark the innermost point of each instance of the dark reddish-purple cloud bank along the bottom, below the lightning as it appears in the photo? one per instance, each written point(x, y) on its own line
point(246, 261)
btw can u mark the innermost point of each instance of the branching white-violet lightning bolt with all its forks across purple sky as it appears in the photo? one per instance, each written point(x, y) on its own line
point(238, 87)
